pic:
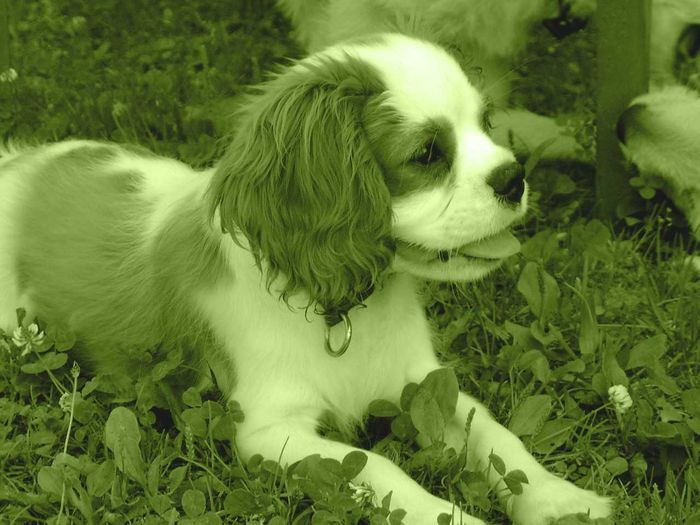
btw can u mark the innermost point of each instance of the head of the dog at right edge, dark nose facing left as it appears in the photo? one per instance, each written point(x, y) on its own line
point(660, 134)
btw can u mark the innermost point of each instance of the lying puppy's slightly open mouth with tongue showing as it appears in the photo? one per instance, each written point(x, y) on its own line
point(492, 249)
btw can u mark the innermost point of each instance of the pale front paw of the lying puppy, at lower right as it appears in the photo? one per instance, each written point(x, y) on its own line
point(543, 502)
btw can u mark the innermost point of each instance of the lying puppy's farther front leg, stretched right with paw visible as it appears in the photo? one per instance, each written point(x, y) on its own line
point(545, 497)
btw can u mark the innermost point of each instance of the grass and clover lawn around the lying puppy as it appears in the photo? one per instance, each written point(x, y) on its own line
point(585, 307)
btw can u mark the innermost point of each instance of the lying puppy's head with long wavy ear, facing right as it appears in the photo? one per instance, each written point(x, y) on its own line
point(369, 156)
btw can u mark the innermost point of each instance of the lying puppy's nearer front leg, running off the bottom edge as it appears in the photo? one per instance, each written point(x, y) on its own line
point(294, 439)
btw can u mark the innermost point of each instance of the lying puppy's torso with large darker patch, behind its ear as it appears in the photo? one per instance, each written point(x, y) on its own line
point(119, 285)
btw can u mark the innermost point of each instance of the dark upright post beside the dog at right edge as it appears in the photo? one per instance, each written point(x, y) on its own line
point(623, 73)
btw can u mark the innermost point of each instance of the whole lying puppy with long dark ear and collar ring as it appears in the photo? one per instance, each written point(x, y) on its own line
point(351, 175)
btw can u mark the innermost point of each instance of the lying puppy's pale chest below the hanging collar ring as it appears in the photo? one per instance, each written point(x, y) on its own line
point(278, 352)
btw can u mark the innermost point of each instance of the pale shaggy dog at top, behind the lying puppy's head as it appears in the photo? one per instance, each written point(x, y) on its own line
point(488, 34)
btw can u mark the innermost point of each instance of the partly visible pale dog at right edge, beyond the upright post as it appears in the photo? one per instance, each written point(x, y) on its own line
point(660, 131)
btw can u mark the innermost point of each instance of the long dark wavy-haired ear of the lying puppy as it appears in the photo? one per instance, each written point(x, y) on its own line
point(301, 183)
